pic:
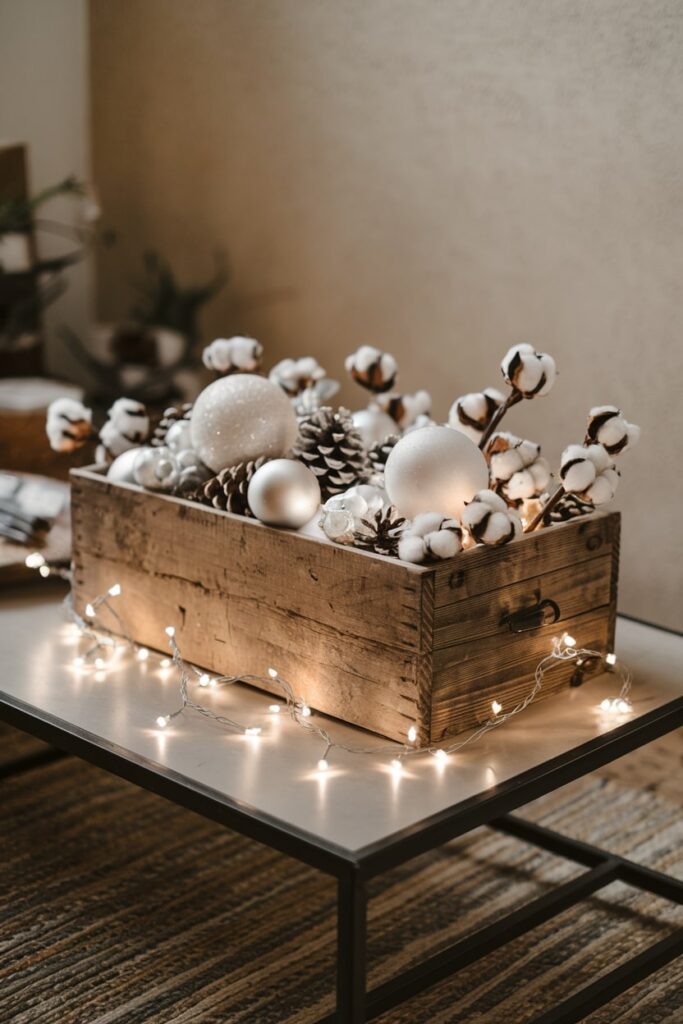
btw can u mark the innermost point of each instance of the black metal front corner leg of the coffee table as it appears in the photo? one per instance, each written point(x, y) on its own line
point(352, 932)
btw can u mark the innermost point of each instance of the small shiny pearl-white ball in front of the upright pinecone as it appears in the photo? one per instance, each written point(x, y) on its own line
point(284, 493)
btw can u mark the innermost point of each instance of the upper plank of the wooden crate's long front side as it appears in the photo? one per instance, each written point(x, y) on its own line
point(364, 596)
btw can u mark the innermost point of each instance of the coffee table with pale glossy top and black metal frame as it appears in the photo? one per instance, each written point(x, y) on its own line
point(359, 819)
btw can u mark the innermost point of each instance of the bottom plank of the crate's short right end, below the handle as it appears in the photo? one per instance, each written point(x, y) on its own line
point(469, 677)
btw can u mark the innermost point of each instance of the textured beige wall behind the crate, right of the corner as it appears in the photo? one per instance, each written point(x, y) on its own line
point(439, 179)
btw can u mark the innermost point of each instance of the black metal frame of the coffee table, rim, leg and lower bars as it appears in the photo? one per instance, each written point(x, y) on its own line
point(355, 1004)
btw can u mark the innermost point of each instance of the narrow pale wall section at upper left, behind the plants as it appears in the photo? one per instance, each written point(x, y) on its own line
point(44, 103)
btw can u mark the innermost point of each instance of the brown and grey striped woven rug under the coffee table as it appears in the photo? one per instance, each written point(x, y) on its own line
point(117, 908)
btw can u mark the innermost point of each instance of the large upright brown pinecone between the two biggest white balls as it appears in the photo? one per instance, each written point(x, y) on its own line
point(332, 448)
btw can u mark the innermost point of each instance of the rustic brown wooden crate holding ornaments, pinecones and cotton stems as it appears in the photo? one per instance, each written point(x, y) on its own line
point(374, 642)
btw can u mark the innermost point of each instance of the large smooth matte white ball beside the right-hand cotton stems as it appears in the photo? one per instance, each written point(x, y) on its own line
point(435, 470)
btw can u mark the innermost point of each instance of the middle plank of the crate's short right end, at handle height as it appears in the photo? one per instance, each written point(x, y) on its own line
point(575, 589)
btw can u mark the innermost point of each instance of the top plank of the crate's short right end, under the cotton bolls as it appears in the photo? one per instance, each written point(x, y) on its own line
point(483, 570)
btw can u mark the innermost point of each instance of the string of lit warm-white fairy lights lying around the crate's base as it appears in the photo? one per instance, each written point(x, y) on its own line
point(564, 651)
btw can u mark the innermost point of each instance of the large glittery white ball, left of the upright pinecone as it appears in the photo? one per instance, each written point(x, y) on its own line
point(240, 419)
